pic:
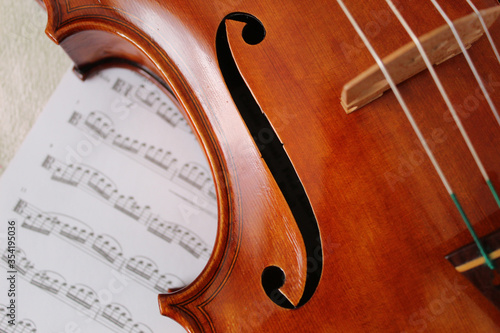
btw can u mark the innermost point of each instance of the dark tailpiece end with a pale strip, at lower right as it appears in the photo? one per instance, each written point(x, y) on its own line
point(469, 262)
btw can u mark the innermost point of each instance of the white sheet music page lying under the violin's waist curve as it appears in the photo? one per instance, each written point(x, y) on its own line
point(108, 203)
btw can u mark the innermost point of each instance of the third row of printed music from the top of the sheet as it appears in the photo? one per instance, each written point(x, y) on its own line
point(93, 181)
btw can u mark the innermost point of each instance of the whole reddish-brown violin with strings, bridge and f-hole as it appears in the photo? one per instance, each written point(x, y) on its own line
point(354, 147)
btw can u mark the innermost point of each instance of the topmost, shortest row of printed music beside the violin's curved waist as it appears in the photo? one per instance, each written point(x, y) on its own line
point(154, 101)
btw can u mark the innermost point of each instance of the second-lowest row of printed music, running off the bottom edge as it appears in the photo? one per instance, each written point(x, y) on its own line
point(78, 296)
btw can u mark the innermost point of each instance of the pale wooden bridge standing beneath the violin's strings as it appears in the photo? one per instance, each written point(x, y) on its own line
point(439, 45)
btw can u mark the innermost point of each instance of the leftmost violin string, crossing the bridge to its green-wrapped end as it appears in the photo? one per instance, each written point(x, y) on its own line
point(416, 129)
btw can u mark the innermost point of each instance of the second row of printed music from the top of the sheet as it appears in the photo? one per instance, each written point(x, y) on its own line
point(190, 176)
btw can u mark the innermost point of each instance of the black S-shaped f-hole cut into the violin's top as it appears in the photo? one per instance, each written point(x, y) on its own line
point(276, 158)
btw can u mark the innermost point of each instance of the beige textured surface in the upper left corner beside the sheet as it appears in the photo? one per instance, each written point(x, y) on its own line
point(31, 66)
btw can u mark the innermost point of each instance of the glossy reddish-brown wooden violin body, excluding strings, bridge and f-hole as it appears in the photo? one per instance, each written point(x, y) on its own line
point(386, 222)
